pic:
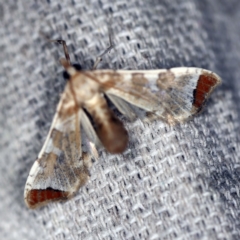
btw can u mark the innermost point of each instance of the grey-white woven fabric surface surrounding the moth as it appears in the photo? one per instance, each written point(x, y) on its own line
point(172, 182)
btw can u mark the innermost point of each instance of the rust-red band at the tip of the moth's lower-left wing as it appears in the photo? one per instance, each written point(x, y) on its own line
point(38, 197)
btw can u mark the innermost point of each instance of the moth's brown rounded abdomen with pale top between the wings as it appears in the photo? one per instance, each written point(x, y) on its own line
point(109, 128)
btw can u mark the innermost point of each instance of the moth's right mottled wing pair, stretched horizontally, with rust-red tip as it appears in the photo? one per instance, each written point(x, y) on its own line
point(172, 95)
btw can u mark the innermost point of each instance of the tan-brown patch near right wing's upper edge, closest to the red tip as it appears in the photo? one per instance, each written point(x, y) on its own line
point(165, 80)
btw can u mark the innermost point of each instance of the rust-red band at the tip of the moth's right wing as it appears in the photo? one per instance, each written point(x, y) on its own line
point(206, 84)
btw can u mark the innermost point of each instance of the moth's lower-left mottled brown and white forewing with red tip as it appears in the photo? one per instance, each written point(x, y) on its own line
point(62, 167)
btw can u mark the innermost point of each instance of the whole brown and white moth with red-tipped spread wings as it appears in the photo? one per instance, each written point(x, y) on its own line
point(62, 167)
